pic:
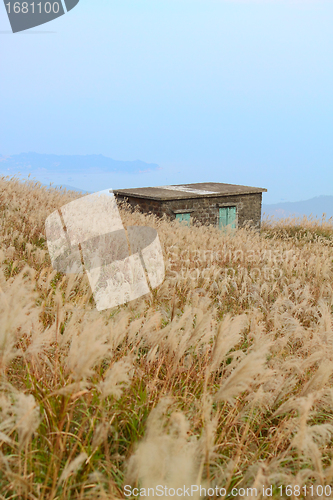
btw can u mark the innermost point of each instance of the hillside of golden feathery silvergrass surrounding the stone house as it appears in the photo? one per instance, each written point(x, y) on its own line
point(221, 378)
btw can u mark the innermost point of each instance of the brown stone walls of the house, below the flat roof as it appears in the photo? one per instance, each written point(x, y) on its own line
point(205, 210)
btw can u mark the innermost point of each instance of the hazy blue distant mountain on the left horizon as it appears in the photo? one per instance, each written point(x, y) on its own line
point(35, 162)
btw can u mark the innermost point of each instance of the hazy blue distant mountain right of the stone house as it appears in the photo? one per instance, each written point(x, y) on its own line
point(315, 206)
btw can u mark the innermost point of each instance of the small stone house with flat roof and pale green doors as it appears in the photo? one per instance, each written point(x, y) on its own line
point(206, 202)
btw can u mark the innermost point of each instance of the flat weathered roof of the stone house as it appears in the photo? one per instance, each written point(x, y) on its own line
point(186, 191)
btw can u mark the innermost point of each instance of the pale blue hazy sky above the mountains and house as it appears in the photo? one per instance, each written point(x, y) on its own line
point(211, 90)
